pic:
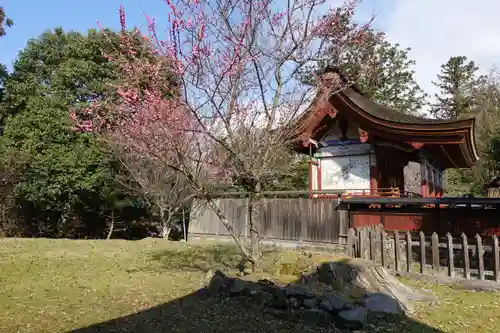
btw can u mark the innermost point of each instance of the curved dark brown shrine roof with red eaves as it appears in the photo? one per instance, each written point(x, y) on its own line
point(450, 142)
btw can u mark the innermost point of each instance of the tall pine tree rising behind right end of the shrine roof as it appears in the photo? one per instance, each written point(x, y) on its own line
point(458, 82)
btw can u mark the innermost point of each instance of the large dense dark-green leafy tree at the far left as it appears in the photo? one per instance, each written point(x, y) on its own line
point(68, 187)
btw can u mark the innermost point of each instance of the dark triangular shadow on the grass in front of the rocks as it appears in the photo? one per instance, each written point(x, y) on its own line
point(198, 312)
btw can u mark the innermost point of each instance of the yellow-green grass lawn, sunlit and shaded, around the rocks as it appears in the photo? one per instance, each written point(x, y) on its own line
point(150, 286)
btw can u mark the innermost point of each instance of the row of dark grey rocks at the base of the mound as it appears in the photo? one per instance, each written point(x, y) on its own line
point(298, 302)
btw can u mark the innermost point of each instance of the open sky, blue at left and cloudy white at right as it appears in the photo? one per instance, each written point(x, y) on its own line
point(434, 29)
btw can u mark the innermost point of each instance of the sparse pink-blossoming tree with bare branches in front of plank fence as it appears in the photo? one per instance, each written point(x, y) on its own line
point(229, 118)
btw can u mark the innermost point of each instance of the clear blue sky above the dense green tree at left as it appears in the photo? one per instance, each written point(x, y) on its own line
point(32, 17)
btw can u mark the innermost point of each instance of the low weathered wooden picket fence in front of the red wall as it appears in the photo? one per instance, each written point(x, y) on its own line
point(467, 257)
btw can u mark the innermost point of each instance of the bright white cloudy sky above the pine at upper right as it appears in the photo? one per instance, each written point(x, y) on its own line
point(438, 29)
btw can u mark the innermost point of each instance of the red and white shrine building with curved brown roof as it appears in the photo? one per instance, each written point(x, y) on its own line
point(362, 148)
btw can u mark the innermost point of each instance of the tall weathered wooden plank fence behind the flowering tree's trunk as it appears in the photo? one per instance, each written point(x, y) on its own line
point(285, 219)
